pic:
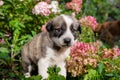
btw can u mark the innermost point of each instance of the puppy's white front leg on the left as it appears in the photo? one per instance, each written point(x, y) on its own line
point(43, 65)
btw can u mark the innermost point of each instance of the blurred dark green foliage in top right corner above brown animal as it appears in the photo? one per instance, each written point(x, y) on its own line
point(103, 10)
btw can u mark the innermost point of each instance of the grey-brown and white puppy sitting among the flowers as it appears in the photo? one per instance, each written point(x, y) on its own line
point(51, 47)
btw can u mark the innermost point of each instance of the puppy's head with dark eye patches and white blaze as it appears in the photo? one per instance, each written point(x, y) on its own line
point(63, 30)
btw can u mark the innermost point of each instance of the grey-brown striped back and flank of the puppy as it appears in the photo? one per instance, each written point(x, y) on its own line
point(35, 48)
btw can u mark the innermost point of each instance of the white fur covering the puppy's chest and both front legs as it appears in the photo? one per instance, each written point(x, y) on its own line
point(53, 58)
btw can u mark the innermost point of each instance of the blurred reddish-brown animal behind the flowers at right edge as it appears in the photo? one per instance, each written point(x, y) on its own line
point(109, 32)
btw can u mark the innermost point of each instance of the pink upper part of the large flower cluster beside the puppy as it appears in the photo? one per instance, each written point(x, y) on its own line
point(84, 50)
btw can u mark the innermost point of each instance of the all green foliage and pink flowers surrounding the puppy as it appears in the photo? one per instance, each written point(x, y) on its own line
point(20, 20)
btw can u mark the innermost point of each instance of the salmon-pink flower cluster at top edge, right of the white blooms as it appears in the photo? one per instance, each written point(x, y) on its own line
point(75, 5)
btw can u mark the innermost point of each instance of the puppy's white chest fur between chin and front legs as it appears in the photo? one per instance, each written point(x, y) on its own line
point(56, 56)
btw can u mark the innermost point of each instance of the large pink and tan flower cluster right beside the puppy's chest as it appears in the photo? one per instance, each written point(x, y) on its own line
point(82, 55)
